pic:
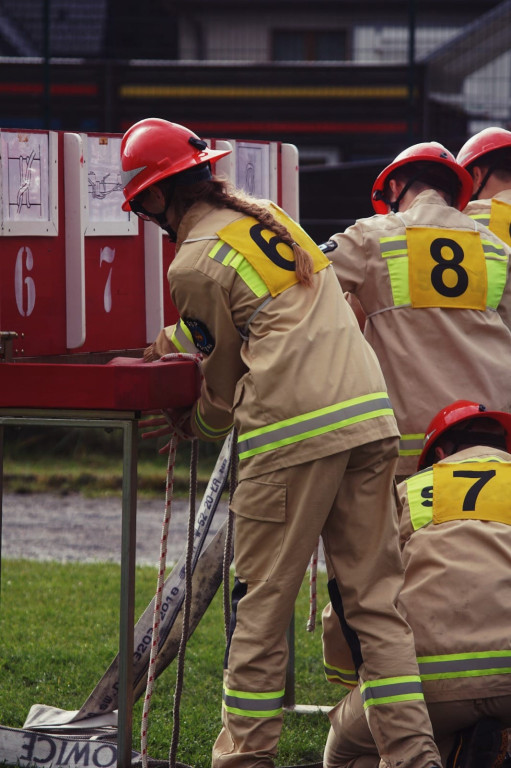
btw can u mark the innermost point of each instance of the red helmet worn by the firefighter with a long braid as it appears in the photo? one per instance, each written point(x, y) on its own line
point(153, 149)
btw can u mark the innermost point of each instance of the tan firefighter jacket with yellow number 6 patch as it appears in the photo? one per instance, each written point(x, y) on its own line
point(287, 364)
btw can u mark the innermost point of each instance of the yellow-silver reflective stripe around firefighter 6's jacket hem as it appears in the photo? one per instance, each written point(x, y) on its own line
point(303, 425)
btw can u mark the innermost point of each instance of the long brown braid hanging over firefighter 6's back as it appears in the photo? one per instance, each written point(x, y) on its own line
point(221, 194)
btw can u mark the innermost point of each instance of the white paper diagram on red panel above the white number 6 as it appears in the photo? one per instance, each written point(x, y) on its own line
point(25, 177)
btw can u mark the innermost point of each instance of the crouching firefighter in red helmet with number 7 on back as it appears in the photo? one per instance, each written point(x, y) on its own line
point(455, 535)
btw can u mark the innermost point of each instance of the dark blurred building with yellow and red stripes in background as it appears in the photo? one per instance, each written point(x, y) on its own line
point(350, 82)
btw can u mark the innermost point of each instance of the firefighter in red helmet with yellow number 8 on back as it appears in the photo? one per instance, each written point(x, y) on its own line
point(434, 286)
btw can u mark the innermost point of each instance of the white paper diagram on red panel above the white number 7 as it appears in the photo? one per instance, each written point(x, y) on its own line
point(104, 185)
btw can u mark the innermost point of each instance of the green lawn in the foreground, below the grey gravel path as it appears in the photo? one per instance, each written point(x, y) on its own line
point(59, 630)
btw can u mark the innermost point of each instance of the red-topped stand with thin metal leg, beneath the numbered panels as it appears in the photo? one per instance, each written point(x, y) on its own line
point(108, 396)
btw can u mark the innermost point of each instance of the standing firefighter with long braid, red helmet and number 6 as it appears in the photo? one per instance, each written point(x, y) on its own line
point(285, 362)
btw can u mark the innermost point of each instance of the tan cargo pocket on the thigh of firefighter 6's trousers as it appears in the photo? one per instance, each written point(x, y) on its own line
point(260, 509)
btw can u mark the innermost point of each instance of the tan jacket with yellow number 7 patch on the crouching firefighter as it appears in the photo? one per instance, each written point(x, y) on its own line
point(455, 535)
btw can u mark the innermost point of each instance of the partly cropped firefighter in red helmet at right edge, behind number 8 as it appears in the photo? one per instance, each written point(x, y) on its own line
point(487, 157)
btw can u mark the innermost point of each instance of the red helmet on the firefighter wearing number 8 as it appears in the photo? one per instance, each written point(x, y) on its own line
point(429, 151)
